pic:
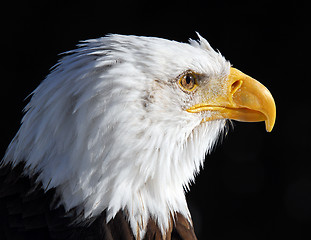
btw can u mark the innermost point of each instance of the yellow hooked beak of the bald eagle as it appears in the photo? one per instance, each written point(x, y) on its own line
point(245, 99)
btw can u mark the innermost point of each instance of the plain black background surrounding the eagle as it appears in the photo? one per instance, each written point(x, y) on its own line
point(255, 185)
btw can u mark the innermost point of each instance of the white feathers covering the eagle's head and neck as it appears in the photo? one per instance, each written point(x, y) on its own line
point(108, 128)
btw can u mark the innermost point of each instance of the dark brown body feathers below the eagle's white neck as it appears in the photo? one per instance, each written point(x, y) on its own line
point(27, 212)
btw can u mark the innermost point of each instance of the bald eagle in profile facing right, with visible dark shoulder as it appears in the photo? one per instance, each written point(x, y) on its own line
point(113, 136)
